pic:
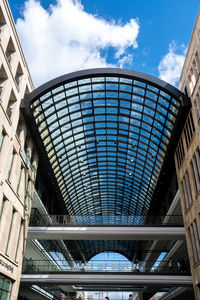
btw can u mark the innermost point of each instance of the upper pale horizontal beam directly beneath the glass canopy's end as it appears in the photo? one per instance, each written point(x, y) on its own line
point(106, 233)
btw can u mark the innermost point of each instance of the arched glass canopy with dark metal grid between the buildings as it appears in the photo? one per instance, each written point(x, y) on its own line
point(106, 134)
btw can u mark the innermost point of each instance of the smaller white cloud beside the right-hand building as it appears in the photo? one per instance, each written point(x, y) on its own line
point(170, 66)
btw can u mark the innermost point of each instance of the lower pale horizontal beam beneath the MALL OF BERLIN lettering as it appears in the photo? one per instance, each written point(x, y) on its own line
point(119, 279)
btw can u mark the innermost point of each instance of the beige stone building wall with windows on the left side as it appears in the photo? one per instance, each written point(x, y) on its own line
point(16, 151)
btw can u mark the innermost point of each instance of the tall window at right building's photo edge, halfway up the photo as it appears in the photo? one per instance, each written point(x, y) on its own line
point(195, 167)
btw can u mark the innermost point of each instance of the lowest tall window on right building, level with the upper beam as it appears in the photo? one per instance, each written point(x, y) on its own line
point(194, 238)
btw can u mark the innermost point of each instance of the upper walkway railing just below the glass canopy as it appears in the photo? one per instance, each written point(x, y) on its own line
point(60, 220)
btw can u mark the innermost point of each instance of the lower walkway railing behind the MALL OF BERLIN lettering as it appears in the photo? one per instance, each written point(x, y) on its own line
point(57, 266)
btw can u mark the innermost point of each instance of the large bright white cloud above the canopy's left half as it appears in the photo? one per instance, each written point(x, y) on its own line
point(65, 38)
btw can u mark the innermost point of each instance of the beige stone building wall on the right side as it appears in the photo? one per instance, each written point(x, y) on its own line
point(188, 159)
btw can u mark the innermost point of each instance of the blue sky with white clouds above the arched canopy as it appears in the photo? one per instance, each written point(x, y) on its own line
point(62, 36)
